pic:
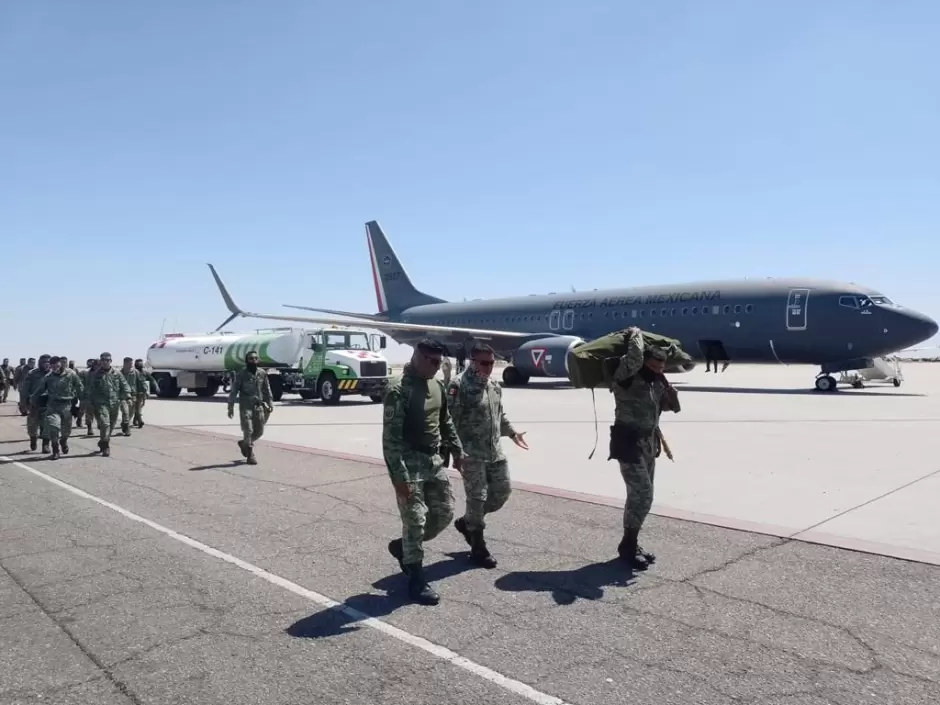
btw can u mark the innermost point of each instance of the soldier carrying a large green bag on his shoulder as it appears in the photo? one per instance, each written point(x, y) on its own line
point(641, 393)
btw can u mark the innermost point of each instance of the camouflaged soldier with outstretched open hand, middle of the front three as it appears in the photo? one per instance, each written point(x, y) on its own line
point(476, 405)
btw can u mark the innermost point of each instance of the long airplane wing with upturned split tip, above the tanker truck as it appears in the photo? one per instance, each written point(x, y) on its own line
point(401, 332)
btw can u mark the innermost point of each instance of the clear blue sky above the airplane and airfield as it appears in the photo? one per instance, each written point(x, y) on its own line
point(506, 147)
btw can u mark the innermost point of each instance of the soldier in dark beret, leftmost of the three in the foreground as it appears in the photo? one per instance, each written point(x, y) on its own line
point(416, 424)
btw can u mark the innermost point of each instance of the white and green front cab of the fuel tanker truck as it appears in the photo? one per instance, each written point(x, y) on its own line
point(338, 361)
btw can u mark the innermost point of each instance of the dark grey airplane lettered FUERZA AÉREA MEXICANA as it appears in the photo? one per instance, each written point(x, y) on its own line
point(835, 325)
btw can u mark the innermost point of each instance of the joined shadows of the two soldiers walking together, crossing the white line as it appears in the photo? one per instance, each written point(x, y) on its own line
point(346, 617)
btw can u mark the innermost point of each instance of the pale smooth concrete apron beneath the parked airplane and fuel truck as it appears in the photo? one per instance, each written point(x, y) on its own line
point(754, 447)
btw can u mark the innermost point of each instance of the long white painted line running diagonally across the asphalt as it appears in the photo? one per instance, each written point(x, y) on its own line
point(435, 650)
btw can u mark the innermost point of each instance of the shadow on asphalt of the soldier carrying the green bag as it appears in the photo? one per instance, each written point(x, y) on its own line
point(566, 586)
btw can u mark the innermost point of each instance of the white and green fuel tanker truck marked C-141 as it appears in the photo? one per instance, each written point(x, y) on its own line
point(326, 363)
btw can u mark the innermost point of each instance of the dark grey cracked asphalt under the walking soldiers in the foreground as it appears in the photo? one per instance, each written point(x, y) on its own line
point(172, 572)
